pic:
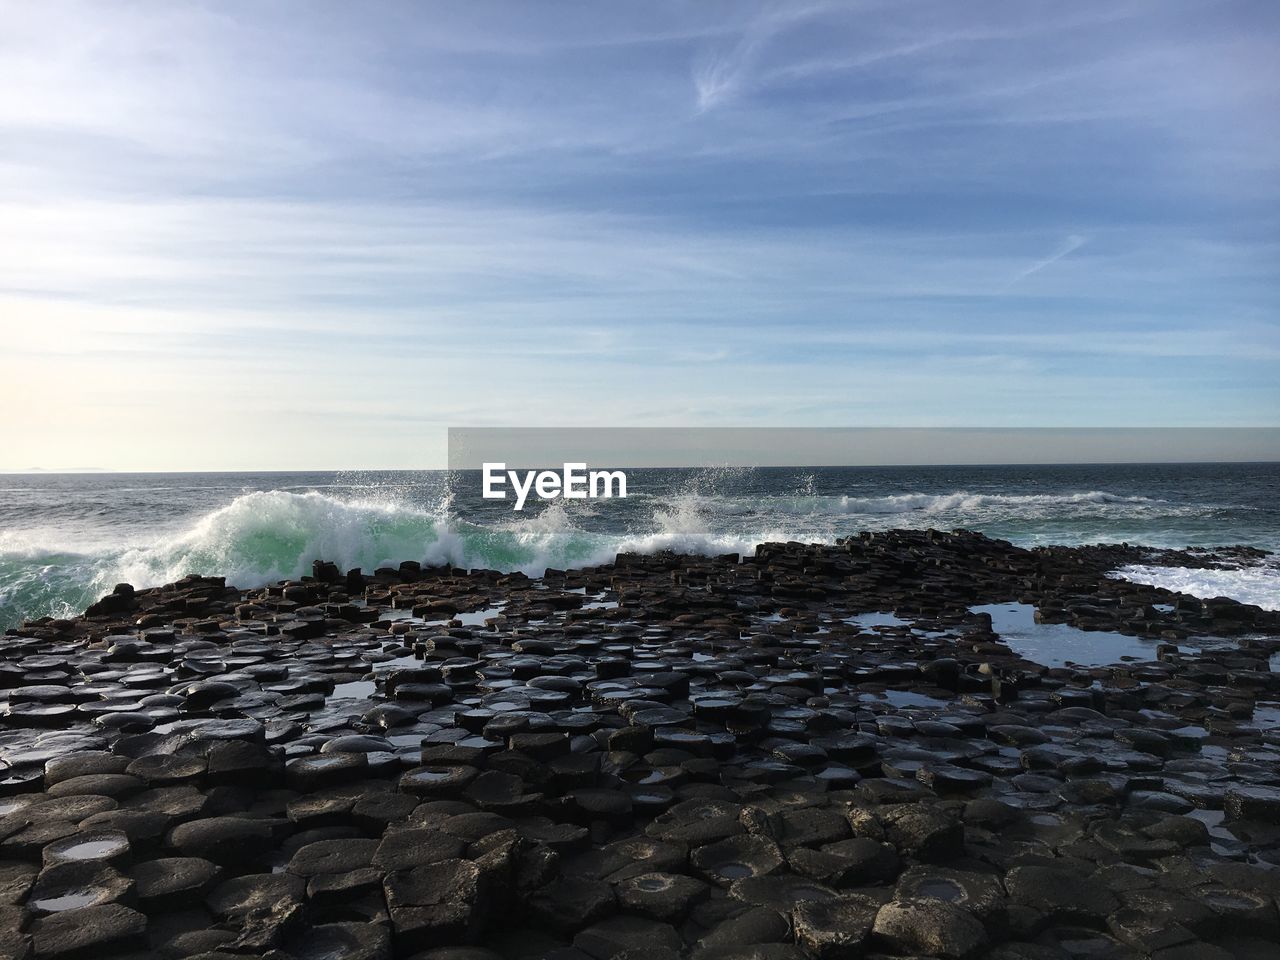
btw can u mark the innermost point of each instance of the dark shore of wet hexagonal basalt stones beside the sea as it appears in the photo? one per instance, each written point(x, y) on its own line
point(816, 752)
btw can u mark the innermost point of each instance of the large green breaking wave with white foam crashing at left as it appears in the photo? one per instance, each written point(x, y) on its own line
point(272, 536)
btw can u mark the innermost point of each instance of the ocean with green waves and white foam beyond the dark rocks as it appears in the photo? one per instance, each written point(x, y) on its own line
point(68, 538)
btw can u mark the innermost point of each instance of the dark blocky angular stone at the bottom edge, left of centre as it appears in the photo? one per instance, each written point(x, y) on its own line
point(433, 904)
